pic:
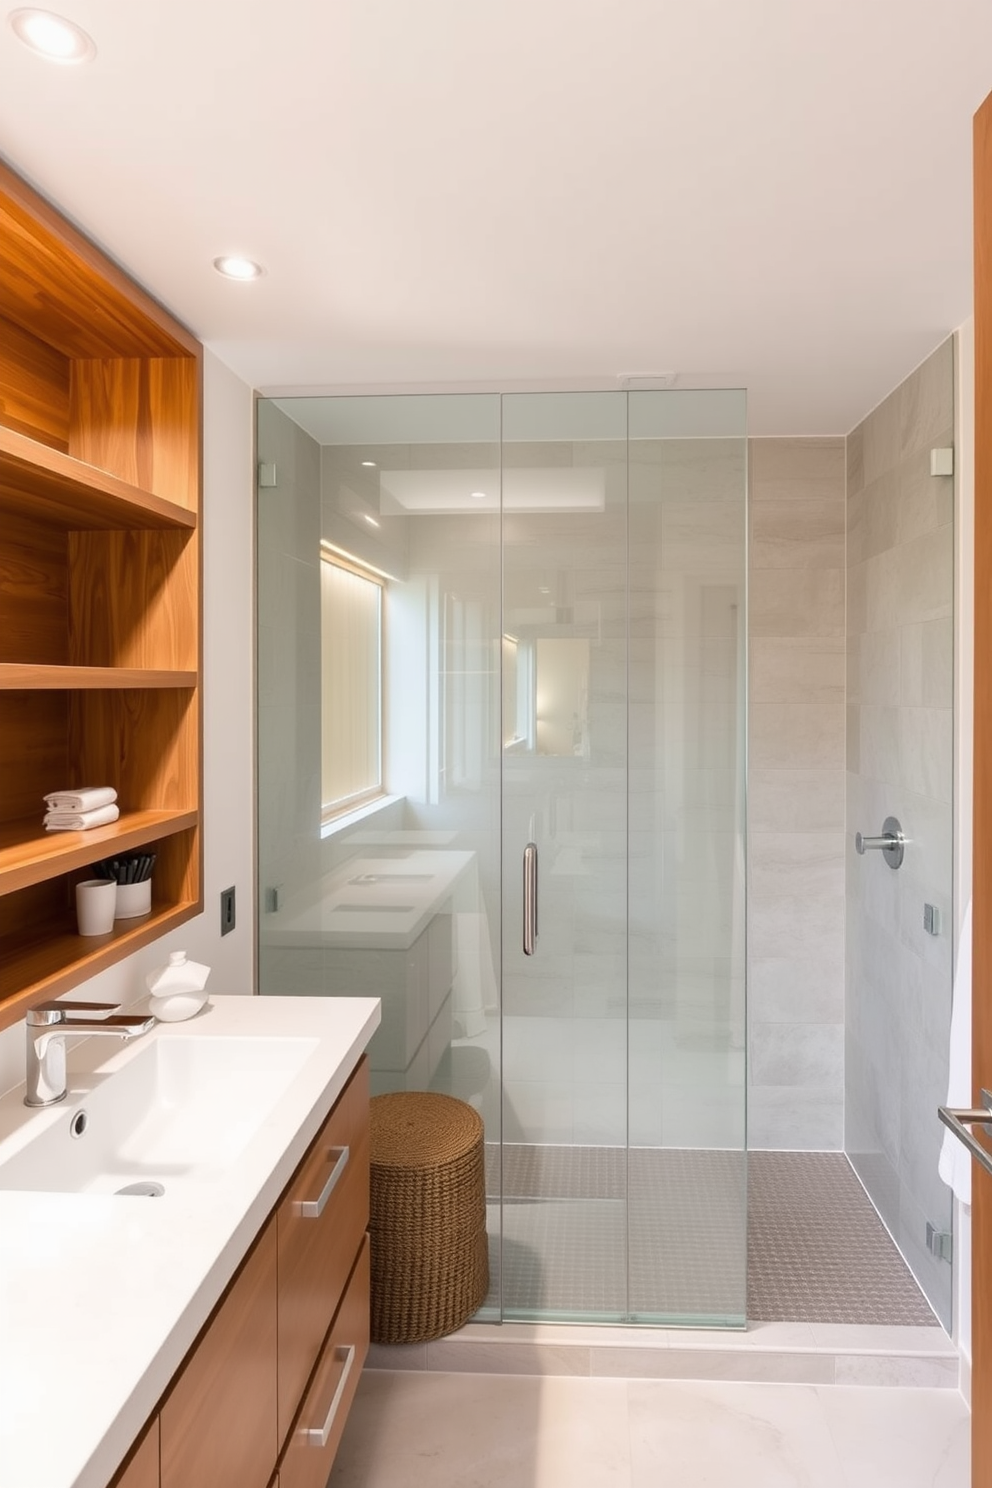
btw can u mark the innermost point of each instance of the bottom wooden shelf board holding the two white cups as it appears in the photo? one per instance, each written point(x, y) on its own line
point(35, 966)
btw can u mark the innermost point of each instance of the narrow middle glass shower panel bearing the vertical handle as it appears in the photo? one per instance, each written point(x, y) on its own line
point(564, 789)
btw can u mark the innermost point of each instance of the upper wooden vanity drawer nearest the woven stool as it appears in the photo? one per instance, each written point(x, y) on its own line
point(322, 1221)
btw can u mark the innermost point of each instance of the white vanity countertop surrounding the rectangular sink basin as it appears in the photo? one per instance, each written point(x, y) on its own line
point(100, 1297)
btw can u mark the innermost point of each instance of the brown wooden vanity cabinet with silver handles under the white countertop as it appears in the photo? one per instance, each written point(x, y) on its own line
point(268, 1385)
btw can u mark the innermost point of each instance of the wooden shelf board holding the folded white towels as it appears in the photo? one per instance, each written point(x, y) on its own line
point(29, 855)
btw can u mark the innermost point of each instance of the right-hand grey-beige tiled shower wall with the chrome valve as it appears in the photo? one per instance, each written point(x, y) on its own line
point(901, 763)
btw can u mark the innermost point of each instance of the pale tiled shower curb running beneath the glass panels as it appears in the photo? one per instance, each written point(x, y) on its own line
point(780, 1353)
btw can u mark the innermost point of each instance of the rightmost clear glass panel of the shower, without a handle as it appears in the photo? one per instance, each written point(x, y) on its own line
point(688, 1233)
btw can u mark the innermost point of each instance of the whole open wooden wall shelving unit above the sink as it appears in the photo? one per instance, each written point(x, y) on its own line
point(100, 593)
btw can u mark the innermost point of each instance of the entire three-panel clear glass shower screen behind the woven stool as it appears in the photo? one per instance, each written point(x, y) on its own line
point(529, 838)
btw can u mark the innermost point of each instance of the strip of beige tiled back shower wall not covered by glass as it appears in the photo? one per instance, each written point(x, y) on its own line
point(796, 794)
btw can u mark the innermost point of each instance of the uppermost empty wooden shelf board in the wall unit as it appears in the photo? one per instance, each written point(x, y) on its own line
point(36, 480)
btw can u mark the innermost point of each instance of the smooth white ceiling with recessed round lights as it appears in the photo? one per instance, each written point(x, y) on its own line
point(773, 194)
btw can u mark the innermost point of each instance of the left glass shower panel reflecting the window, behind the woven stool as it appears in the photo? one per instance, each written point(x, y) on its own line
point(398, 898)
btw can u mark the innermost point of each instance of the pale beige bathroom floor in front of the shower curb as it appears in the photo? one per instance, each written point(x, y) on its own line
point(435, 1431)
